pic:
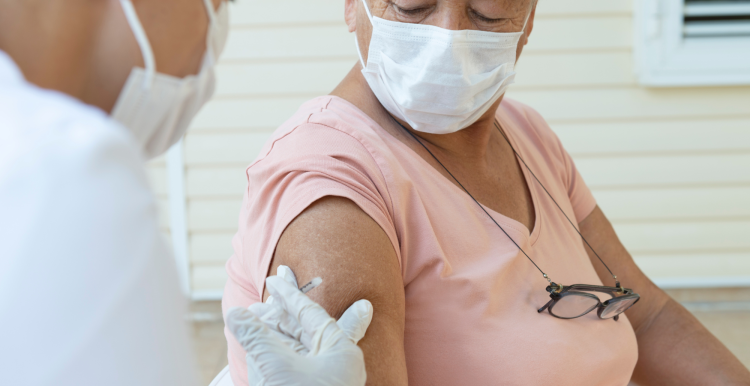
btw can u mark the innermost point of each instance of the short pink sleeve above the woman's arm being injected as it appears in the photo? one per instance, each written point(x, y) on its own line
point(310, 162)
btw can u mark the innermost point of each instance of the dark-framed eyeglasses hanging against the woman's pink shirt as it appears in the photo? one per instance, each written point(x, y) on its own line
point(570, 302)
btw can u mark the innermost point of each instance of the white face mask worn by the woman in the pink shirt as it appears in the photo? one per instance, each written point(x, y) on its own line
point(438, 81)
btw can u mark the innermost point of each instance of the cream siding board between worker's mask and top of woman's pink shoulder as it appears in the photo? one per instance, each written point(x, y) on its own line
point(248, 114)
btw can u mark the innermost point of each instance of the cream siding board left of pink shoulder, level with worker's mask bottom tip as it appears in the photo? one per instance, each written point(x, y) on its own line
point(234, 148)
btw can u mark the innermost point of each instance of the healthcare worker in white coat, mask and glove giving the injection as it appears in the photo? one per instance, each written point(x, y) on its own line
point(89, 90)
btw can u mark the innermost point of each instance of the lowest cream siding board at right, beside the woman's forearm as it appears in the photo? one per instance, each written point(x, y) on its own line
point(695, 265)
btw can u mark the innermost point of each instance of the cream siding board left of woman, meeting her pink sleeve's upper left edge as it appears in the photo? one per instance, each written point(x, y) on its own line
point(216, 182)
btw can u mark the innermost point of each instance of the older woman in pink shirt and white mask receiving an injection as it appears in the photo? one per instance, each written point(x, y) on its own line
point(457, 214)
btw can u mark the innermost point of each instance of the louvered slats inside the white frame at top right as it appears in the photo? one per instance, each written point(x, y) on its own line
point(716, 18)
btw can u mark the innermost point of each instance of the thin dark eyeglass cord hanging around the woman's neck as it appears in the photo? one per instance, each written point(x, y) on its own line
point(497, 126)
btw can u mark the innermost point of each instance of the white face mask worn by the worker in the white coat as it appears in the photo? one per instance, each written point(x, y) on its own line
point(158, 108)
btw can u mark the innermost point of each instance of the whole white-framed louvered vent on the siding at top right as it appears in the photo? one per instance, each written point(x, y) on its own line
point(692, 42)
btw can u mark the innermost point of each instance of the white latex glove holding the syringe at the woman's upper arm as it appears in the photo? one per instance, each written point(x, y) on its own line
point(332, 358)
